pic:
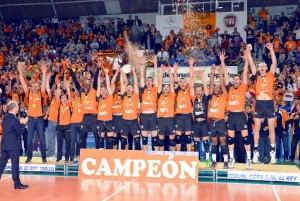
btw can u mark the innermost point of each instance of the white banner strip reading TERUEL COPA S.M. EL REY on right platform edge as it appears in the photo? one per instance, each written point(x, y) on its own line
point(264, 176)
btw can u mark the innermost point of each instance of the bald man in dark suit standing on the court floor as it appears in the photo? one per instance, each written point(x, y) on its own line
point(10, 146)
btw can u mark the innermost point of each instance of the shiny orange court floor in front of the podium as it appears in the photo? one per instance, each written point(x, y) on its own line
point(74, 189)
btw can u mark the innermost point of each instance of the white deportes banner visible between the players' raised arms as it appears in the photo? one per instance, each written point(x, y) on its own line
point(184, 72)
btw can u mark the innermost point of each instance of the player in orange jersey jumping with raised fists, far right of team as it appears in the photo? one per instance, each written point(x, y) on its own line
point(264, 106)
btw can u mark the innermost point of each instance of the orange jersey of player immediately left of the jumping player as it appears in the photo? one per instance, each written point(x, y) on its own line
point(236, 98)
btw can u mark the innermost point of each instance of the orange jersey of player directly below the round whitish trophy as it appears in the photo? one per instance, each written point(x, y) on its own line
point(130, 107)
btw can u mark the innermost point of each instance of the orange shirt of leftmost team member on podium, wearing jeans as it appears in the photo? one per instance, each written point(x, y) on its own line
point(35, 103)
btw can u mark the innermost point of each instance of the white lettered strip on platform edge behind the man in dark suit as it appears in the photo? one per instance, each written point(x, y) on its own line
point(33, 167)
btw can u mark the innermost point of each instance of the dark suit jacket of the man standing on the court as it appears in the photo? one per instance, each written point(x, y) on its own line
point(11, 134)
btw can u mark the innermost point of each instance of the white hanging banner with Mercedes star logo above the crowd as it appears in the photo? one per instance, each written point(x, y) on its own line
point(166, 23)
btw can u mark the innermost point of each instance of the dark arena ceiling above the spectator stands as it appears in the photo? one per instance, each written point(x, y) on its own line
point(22, 9)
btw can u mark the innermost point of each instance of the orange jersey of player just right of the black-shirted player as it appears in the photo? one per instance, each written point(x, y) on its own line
point(217, 106)
